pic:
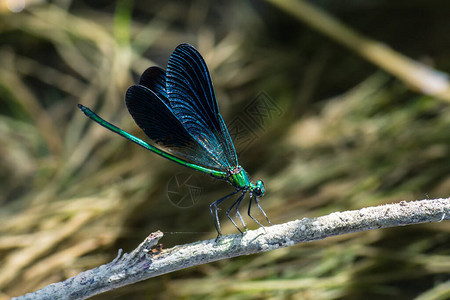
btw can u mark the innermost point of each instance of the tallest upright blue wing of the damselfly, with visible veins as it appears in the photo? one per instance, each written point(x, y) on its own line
point(193, 102)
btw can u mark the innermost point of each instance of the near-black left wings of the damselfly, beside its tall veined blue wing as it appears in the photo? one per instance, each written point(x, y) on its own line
point(148, 105)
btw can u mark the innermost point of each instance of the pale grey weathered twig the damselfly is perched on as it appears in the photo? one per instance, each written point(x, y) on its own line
point(145, 262)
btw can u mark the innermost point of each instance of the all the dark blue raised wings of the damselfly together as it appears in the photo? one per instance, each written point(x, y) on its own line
point(178, 111)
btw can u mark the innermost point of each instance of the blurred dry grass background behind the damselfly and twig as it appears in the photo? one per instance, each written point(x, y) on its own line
point(312, 113)
